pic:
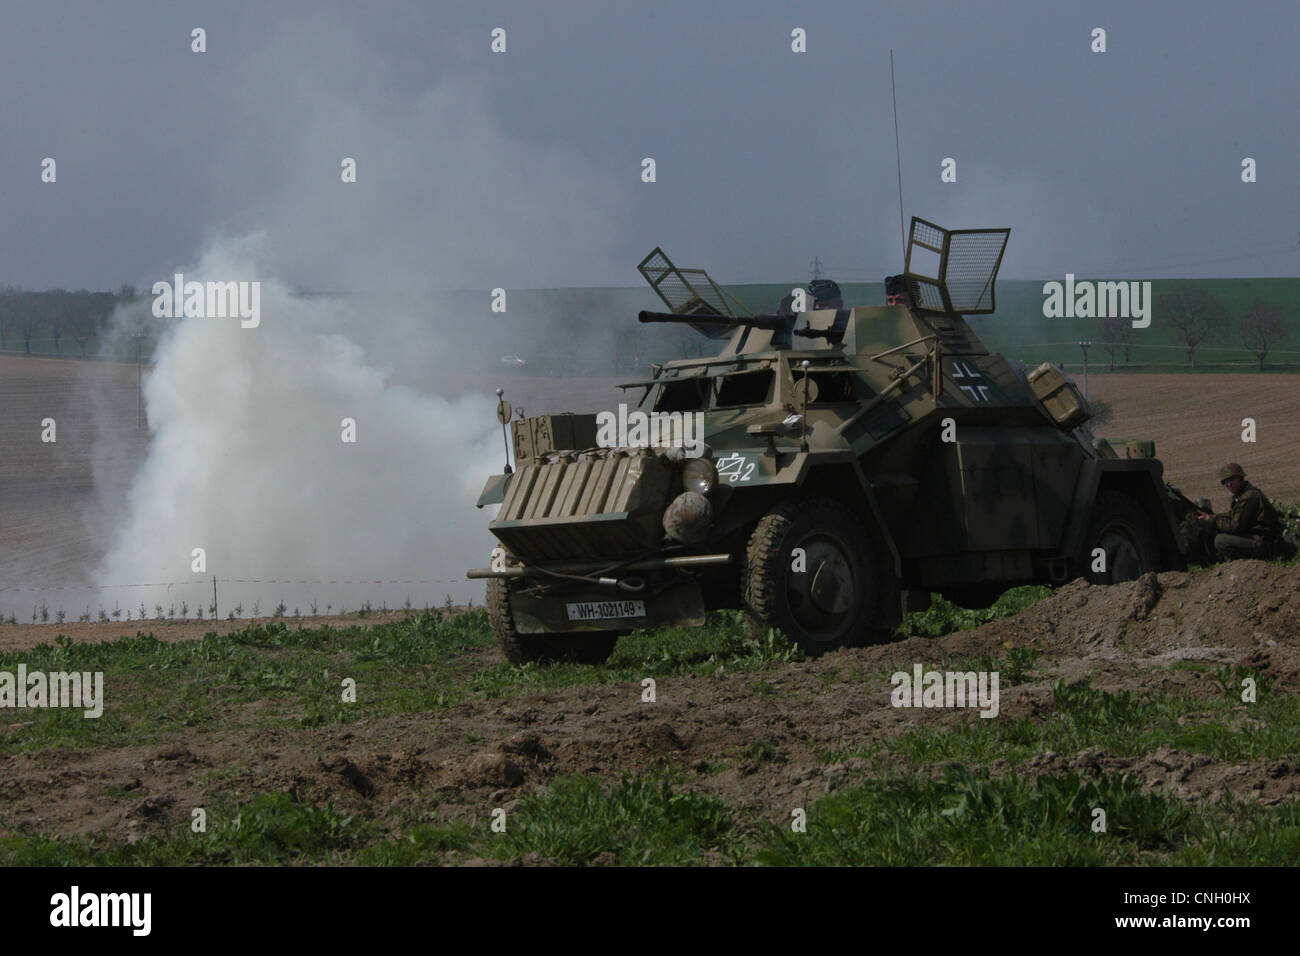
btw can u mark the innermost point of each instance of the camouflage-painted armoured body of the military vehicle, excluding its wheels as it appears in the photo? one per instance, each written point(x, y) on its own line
point(1007, 500)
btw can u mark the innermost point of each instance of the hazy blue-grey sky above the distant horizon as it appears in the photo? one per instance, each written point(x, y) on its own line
point(523, 170)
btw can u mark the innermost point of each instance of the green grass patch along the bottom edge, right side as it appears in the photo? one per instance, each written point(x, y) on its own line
point(972, 819)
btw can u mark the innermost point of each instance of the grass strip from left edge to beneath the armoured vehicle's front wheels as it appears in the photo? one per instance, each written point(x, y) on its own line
point(276, 674)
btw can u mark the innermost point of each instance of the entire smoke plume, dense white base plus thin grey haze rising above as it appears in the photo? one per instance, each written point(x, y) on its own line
point(248, 458)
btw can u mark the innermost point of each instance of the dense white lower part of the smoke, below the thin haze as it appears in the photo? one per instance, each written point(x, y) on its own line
point(249, 464)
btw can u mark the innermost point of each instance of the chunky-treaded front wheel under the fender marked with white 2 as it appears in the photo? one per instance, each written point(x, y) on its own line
point(822, 600)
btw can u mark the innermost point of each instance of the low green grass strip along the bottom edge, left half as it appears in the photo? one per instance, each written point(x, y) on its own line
point(575, 821)
